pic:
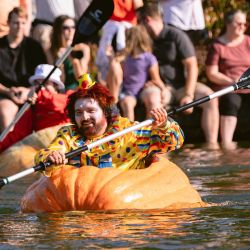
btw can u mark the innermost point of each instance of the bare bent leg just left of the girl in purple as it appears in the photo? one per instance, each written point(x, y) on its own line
point(115, 78)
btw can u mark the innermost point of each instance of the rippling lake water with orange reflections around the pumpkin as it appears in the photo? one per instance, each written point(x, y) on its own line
point(221, 177)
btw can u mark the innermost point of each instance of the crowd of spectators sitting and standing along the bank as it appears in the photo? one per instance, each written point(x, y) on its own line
point(146, 54)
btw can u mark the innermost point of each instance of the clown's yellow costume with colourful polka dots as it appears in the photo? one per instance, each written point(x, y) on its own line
point(126, 152)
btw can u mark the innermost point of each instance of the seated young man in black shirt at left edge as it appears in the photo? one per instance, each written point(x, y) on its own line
point(19, 56)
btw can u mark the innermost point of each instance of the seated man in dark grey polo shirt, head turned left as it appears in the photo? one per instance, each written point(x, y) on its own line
point(178, 68)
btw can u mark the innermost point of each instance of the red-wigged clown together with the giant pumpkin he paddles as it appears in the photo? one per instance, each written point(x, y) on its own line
point(126, 172)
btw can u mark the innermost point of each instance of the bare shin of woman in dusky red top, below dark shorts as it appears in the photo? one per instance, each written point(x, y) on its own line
point(227, 128)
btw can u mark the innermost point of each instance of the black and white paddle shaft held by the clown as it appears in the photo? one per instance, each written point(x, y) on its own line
point(243, 83)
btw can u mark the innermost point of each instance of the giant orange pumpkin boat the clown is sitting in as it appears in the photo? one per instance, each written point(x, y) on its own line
point(161, 185)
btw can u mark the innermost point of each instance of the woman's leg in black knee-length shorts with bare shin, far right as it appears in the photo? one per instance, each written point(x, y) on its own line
point(229, 107)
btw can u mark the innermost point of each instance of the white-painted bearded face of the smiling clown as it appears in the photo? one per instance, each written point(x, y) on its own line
point(90, 117)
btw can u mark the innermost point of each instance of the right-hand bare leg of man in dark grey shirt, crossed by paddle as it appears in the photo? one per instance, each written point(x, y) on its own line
point(210, 114)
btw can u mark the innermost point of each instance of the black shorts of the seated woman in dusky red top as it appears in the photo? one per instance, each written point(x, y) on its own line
point(230, 104)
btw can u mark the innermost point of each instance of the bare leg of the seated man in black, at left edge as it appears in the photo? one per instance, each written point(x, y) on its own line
point(8, 110)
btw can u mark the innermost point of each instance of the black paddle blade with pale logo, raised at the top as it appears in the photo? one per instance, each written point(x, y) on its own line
point(92, 20)
